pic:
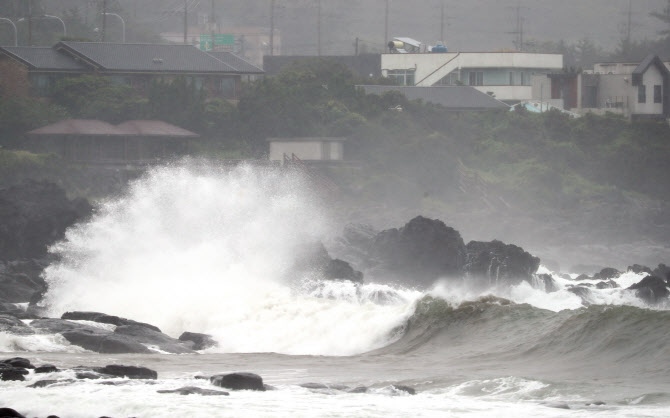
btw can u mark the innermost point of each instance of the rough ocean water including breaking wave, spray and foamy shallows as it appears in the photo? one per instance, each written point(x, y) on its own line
point(210, 250)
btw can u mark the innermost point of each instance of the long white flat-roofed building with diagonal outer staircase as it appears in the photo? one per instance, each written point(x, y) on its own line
point(506, 75)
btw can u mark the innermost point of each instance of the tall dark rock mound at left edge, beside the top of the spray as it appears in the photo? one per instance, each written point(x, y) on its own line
point(34, 215)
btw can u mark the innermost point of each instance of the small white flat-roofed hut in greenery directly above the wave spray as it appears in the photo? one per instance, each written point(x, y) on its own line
point(308, 149)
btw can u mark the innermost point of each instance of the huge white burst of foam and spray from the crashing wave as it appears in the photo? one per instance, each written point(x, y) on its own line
point(207, 250)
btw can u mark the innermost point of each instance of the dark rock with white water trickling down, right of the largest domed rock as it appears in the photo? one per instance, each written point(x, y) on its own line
point(498, 263)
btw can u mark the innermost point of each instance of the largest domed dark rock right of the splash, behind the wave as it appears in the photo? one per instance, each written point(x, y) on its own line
point(423, 250)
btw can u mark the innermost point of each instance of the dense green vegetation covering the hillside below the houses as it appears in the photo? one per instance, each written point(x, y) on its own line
point(423, 158)
